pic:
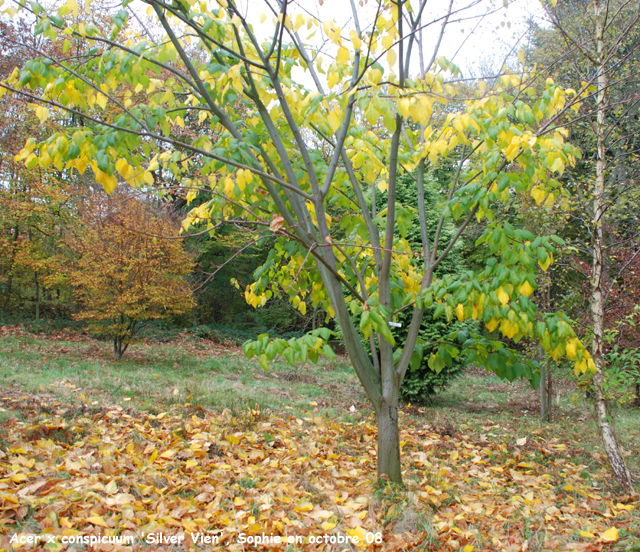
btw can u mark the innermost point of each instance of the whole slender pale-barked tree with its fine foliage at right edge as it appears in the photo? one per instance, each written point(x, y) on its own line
point(600, 52)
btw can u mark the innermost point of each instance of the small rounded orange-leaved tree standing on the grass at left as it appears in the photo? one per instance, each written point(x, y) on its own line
point(127, 265)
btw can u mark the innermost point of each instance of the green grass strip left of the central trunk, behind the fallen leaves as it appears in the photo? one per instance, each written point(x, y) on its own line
point(154, 376)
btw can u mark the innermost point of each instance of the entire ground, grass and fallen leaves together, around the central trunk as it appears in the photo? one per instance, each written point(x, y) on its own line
point(190, 437)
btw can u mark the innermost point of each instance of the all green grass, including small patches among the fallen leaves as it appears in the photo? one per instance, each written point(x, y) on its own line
point(196, 375)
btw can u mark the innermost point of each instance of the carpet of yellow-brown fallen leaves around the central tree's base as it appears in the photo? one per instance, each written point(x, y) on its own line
point(69, 471)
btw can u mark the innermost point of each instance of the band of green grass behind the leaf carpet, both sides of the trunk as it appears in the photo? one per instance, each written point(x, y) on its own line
point(154, 376)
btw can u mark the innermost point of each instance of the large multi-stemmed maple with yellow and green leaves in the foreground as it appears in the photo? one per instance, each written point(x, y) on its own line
point(267, 169)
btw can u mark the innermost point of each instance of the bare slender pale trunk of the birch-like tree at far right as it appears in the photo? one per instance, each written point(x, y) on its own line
point(597, 297)
